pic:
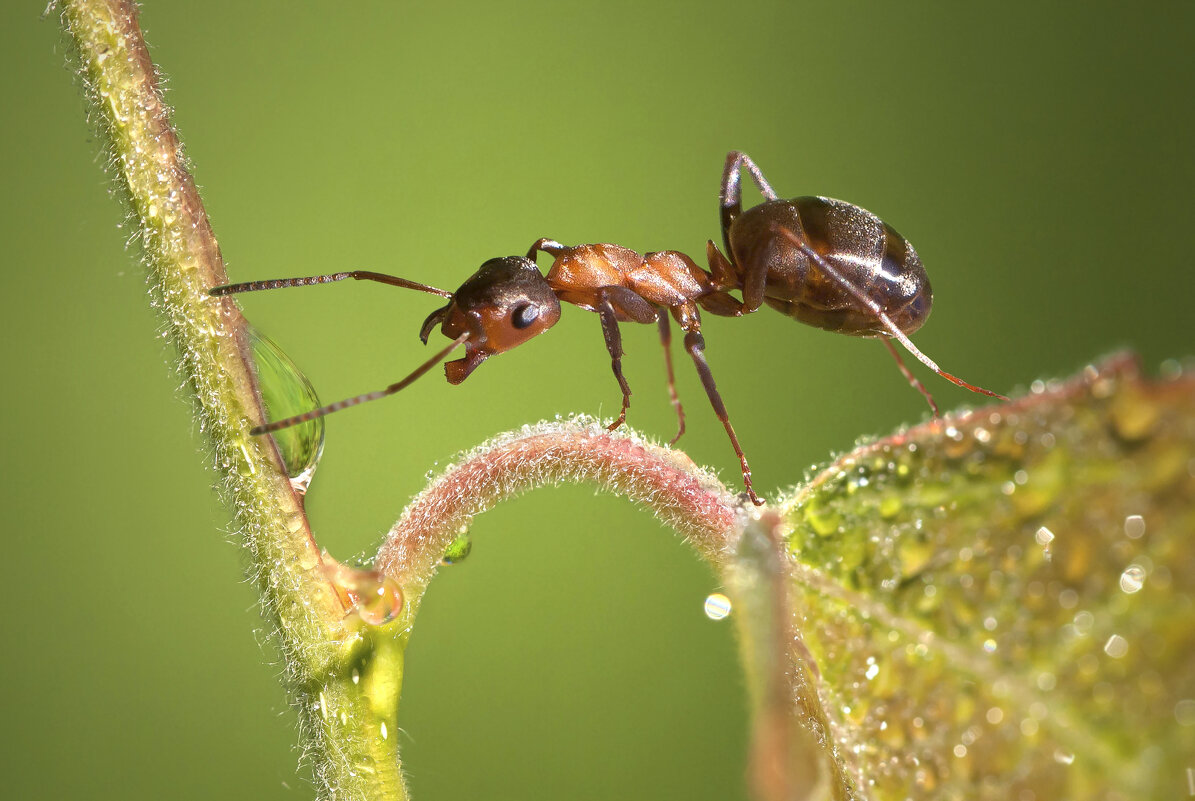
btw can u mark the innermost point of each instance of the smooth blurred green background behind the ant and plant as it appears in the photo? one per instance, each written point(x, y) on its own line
point(1037, 155)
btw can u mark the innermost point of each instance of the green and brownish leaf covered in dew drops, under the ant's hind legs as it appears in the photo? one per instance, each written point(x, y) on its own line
point(1002, 604)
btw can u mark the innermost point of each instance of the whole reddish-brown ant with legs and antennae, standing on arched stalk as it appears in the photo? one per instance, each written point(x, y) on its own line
point(824, 262)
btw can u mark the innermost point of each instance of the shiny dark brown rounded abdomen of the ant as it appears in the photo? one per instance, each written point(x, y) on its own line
point(770, 246)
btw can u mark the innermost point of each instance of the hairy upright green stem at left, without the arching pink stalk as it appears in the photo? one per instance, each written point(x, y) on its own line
point(318, 641)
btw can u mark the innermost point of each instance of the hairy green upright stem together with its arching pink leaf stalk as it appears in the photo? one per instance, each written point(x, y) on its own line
point(344, 669)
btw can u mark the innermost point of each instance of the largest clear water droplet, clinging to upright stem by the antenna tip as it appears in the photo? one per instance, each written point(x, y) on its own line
point(286, 392)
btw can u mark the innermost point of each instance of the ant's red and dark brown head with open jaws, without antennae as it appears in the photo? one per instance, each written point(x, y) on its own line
point(502, 305)
